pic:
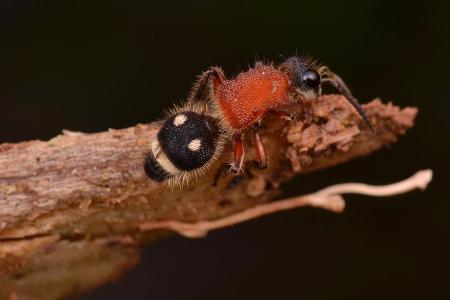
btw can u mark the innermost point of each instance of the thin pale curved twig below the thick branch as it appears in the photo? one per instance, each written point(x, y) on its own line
point(329, 198)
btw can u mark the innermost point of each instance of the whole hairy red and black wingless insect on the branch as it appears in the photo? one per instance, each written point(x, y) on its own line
point(192, 136)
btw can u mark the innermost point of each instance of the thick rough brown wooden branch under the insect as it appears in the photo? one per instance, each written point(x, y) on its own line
point(71, 208)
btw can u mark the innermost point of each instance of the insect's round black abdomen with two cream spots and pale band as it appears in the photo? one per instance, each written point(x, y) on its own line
point(186, 144)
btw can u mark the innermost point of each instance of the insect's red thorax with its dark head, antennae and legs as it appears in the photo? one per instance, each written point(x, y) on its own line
point(242, 102)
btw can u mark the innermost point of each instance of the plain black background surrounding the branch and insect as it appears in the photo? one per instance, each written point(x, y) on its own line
point(92, 65)
